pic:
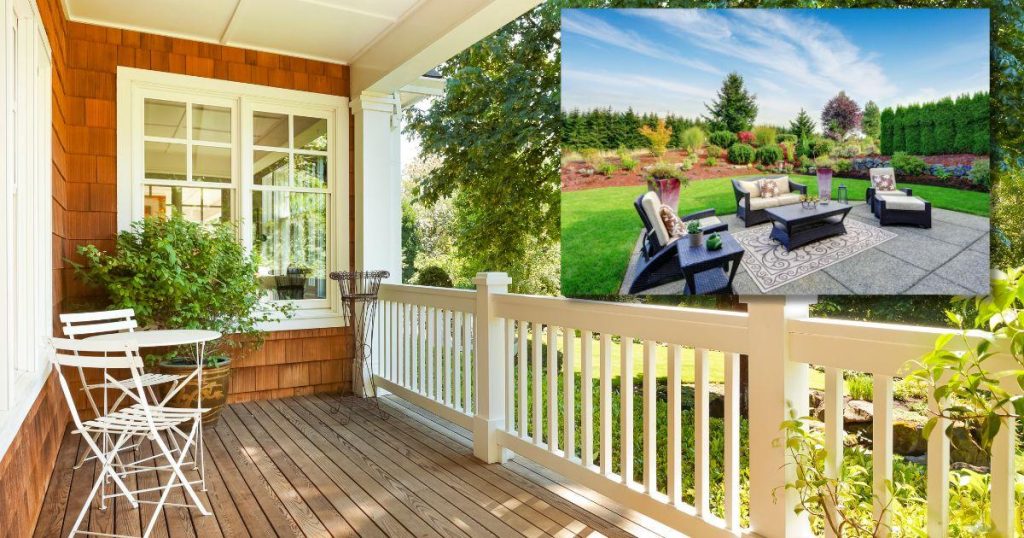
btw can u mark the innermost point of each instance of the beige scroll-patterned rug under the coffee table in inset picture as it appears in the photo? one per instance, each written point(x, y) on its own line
point(771, 266)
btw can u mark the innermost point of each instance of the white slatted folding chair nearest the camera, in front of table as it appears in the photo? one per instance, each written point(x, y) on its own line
point(117, 428)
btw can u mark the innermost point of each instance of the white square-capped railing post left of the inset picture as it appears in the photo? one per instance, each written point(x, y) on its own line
point(490, 369)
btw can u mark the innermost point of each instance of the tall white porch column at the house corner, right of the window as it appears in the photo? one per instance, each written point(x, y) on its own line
point(378, 194)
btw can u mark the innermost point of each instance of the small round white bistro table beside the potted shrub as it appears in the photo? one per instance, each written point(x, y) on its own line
point(172, 339)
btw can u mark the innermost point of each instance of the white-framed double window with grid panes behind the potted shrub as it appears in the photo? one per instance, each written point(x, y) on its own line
point(267, 159)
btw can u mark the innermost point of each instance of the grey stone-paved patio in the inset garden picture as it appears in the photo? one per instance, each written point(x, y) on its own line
point(952, 258)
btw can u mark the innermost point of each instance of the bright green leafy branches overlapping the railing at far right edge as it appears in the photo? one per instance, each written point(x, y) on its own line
point(959, 370)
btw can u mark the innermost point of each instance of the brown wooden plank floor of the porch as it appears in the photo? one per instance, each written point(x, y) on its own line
point(290, 468)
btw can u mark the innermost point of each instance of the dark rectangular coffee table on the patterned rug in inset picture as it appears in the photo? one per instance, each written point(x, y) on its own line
point(794, 226)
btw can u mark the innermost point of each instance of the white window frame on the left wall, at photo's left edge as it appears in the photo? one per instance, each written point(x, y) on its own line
point(26, 213)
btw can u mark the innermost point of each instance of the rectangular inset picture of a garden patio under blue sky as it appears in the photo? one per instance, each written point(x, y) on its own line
point(796, 152)
